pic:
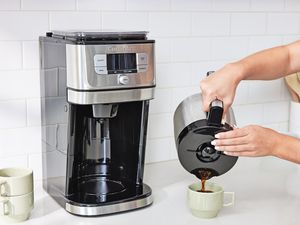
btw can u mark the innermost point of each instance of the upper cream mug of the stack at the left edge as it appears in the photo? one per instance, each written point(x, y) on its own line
point(15, 181)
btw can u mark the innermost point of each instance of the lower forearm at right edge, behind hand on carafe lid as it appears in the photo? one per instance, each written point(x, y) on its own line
point(288, 148)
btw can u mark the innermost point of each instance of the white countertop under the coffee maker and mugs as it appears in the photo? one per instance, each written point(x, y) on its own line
point(267, 192)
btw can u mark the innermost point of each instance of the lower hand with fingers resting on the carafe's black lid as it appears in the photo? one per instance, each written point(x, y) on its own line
point(248, 141)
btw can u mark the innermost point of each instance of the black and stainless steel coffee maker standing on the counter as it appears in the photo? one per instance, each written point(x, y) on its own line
point(95, 93)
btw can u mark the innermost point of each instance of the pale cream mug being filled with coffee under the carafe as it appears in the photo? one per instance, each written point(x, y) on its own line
point(207, 205)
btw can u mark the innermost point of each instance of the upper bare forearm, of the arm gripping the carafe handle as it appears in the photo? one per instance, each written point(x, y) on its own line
point(269, 64)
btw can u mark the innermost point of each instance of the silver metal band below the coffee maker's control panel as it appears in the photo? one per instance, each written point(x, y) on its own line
point(115, 96)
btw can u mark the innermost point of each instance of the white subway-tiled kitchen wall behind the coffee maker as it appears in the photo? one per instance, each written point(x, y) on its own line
point(193, 36)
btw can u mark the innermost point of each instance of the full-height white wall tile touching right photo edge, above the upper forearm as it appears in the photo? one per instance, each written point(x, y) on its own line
point(286, 23)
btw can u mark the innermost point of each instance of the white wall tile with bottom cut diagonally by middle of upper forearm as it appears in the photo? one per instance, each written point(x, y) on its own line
point(258, 43)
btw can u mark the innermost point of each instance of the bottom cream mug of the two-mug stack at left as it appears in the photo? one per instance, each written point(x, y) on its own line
point(16, 208)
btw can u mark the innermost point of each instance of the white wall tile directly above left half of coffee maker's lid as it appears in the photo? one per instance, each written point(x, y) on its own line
point(75, 20)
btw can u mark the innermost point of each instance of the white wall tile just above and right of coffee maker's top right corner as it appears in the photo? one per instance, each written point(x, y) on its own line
point(170, 24)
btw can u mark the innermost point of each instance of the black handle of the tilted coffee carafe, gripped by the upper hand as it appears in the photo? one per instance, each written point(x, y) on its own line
point(215, 112)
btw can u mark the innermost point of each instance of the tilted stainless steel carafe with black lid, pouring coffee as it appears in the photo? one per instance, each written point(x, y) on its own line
point(194, 130)
